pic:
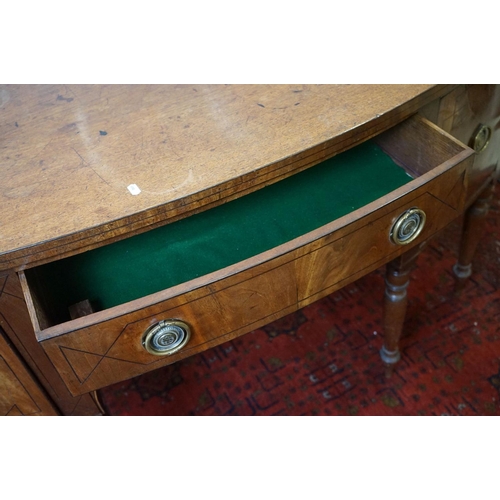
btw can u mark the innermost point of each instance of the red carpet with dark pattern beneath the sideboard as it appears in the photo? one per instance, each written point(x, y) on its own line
point(323, 360)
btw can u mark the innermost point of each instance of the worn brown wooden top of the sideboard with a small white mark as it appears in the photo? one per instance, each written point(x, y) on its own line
point(84, 165)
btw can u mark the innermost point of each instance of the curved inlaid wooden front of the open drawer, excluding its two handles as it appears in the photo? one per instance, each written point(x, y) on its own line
point(95, 356)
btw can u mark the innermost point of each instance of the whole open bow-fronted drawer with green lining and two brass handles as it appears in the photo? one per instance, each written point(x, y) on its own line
point(180, 289)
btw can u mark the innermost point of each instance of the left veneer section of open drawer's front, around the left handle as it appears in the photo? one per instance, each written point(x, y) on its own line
point(111, 351)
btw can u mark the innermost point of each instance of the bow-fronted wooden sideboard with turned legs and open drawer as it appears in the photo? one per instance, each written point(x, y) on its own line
point(141, 224)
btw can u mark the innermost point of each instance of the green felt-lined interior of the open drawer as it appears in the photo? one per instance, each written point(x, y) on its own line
point(215, 239)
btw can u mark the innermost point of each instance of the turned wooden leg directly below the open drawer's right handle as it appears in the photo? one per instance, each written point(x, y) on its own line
point(397, 281)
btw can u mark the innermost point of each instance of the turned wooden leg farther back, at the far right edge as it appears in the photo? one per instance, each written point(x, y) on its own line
point(474, 219)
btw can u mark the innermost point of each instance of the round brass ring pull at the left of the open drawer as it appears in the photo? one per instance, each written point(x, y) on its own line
point(166, 337)
